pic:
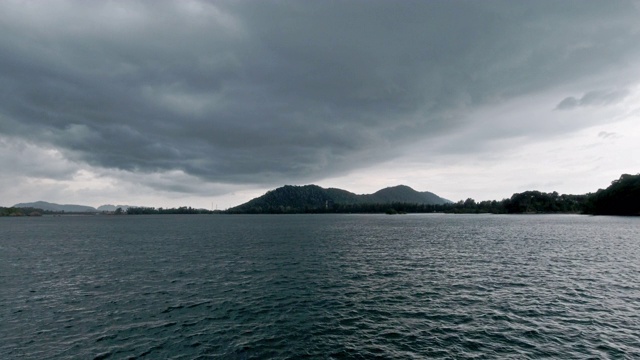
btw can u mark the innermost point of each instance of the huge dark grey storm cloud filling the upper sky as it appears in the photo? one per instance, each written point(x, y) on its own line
point(266, 92)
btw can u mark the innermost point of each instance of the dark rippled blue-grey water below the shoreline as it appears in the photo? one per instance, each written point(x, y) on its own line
point(320, 286)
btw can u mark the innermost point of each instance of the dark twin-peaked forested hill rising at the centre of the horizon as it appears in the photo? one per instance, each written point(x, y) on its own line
point(313, 198)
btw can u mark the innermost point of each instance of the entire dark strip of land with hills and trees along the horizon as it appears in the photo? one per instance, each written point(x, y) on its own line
point(621, 198)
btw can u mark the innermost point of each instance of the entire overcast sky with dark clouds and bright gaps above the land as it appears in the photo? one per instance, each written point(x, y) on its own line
point(212, 103)
